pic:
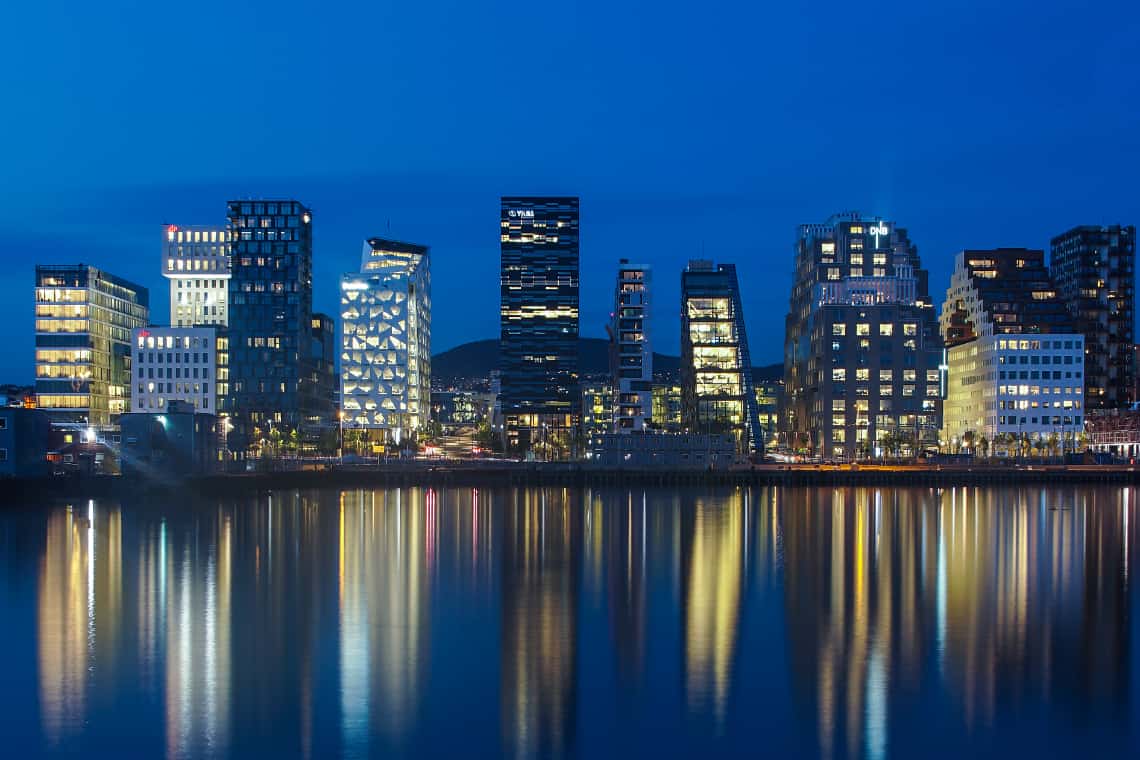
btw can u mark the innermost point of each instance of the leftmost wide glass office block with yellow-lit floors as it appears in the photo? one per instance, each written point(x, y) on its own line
point(84, 323)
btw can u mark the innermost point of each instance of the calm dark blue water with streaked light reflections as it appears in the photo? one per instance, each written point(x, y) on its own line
point(846, 623)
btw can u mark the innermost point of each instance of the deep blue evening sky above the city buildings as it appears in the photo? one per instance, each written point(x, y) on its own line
point(688, 129)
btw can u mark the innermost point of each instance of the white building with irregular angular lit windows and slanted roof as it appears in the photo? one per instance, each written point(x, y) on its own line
point(386, 341)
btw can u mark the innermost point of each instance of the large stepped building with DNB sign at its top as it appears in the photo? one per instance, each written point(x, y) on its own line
point(861, 346)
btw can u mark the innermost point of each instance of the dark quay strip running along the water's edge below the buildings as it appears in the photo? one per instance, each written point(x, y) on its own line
point(567, 476)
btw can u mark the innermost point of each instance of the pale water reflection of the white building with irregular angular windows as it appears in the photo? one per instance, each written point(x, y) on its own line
point(388, 542)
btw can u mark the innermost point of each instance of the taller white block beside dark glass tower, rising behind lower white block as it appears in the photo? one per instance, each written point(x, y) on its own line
point(196, 260)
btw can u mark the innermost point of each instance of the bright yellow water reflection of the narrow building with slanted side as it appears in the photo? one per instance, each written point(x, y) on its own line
point(713, 544)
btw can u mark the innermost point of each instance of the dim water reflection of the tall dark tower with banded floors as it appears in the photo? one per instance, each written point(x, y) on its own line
point(541, 554)
